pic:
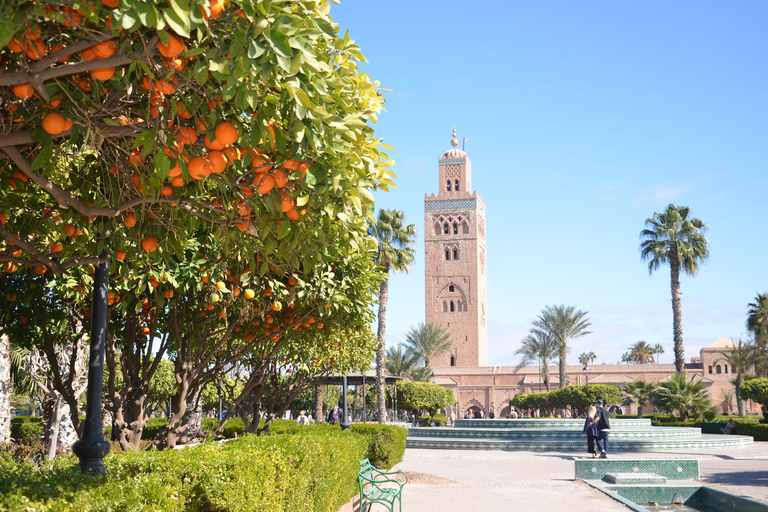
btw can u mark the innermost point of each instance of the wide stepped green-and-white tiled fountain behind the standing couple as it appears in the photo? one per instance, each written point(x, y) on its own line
point(547, 434)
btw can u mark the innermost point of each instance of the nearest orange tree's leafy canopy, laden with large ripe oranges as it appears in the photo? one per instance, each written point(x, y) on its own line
point(186, 115)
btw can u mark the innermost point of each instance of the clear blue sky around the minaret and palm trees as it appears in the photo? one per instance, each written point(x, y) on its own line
point(585, 118)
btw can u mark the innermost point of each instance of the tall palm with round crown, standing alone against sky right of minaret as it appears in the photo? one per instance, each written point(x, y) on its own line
point(675, 238)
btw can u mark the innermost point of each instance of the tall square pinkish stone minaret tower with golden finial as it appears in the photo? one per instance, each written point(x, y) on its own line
point(454, 249)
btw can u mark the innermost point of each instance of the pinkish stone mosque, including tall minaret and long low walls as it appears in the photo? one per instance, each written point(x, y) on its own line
point(457, 299)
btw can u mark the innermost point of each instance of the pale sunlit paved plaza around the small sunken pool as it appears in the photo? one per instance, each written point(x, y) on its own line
point(448, 480)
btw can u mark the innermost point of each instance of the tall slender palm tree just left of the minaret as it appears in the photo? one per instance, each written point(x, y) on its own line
point(395, 253)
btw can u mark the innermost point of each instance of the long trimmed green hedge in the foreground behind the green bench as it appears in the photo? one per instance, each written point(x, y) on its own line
point(311, 471)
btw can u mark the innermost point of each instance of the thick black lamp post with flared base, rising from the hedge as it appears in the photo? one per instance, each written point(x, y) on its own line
point(92, 448)
